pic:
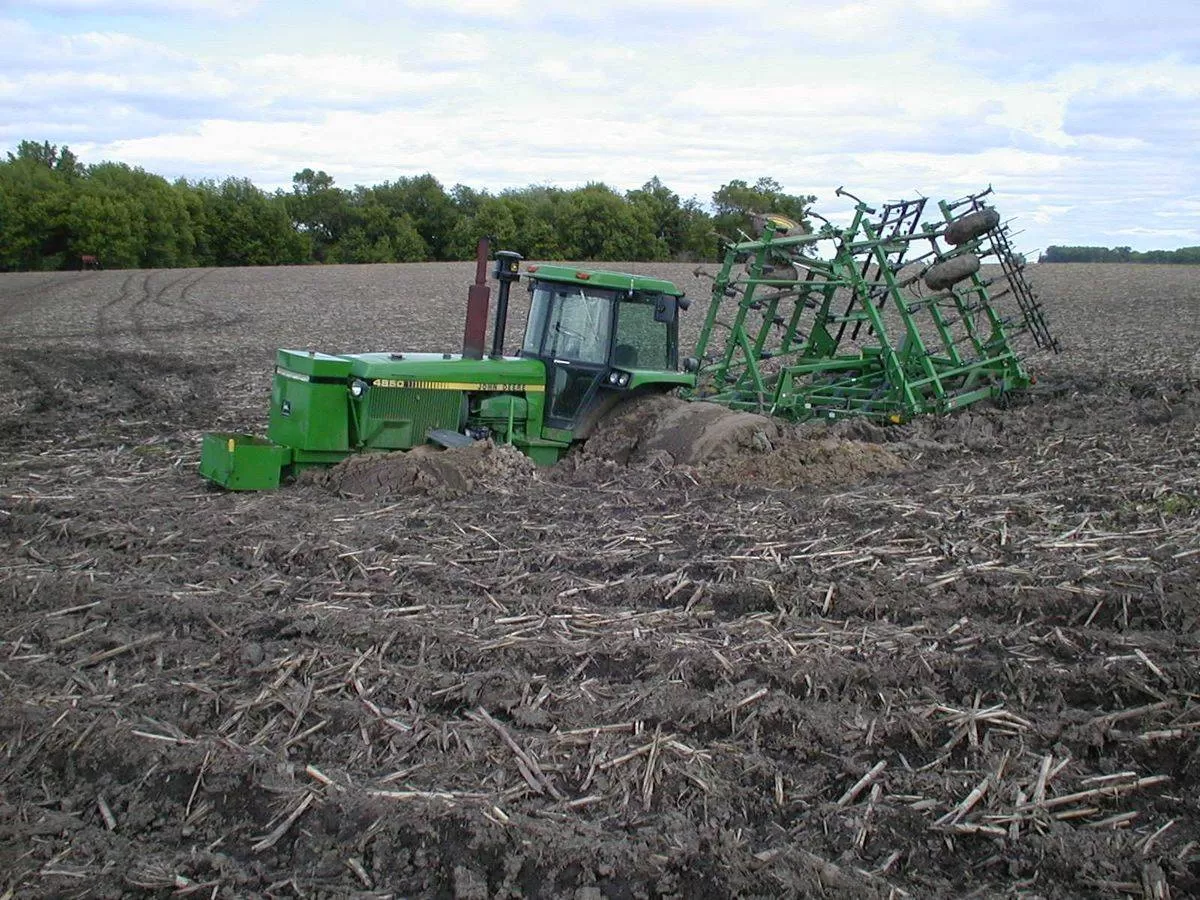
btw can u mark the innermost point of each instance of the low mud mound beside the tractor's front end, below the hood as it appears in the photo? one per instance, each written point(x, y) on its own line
point(429, 471)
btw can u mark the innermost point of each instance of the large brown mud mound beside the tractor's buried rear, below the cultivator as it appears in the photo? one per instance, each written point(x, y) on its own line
point(722, 447)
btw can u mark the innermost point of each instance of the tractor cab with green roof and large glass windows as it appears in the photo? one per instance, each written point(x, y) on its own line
point(602, 337)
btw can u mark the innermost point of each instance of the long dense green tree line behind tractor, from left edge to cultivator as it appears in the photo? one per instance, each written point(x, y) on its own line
point(57, 213)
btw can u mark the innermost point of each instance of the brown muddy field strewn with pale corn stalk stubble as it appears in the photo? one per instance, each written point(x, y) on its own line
point(955, 659)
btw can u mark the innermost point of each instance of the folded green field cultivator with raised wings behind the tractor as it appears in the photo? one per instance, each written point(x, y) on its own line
point(887, 319)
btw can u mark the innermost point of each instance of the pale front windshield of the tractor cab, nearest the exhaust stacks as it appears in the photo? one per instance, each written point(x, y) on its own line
point(569, 322)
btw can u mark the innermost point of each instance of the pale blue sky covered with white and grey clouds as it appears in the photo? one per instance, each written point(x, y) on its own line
point(1084, 116)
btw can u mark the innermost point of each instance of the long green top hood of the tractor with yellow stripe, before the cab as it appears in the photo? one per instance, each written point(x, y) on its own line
point(440, 371)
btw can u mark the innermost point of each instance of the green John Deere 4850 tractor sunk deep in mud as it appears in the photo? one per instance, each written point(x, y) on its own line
point(593, 339)
